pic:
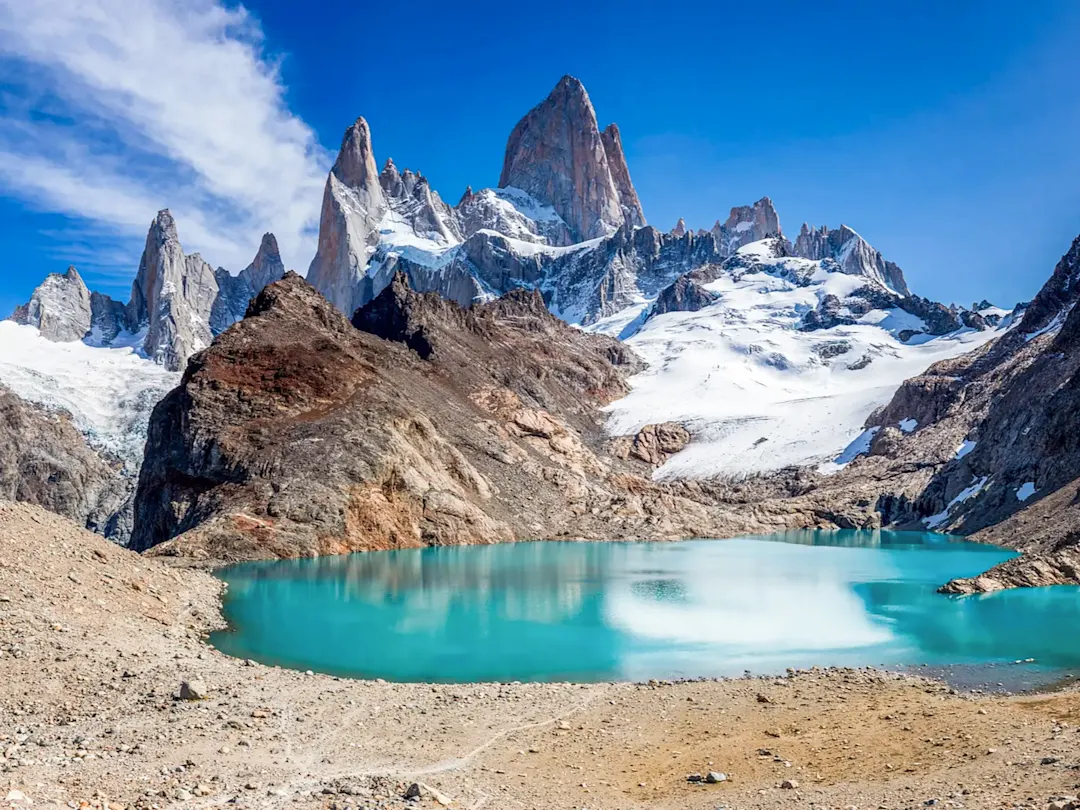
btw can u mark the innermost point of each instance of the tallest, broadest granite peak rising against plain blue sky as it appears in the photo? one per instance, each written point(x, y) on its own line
point(557, 155)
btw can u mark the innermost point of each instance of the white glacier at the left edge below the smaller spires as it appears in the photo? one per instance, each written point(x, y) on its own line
point(110, 393)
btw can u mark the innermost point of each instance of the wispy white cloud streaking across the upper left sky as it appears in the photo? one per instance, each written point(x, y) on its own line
point(114, 110)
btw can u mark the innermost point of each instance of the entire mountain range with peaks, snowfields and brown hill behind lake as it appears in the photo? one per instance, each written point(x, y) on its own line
point(534, 361)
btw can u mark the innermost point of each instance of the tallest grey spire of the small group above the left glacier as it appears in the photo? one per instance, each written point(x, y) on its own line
point(173, 296)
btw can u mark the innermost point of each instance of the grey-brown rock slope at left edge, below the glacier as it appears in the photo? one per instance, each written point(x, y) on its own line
point(46, 461)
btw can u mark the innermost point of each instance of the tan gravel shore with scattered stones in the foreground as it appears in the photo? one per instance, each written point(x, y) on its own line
point(97, 641)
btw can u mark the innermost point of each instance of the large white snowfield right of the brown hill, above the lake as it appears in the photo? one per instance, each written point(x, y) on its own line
point(757, 394)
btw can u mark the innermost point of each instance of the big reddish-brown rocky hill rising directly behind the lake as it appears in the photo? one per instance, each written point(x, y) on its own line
point(298, 434)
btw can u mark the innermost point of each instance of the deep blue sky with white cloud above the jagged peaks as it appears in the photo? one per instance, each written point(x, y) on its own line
point(946, 133)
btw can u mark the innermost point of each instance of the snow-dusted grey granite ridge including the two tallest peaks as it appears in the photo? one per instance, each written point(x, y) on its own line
point(565, 221)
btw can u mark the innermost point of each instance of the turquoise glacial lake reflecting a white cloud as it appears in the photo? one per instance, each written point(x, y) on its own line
point(600, 612)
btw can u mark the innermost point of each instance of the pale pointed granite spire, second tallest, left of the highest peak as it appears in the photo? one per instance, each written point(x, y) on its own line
point(354, 204)
